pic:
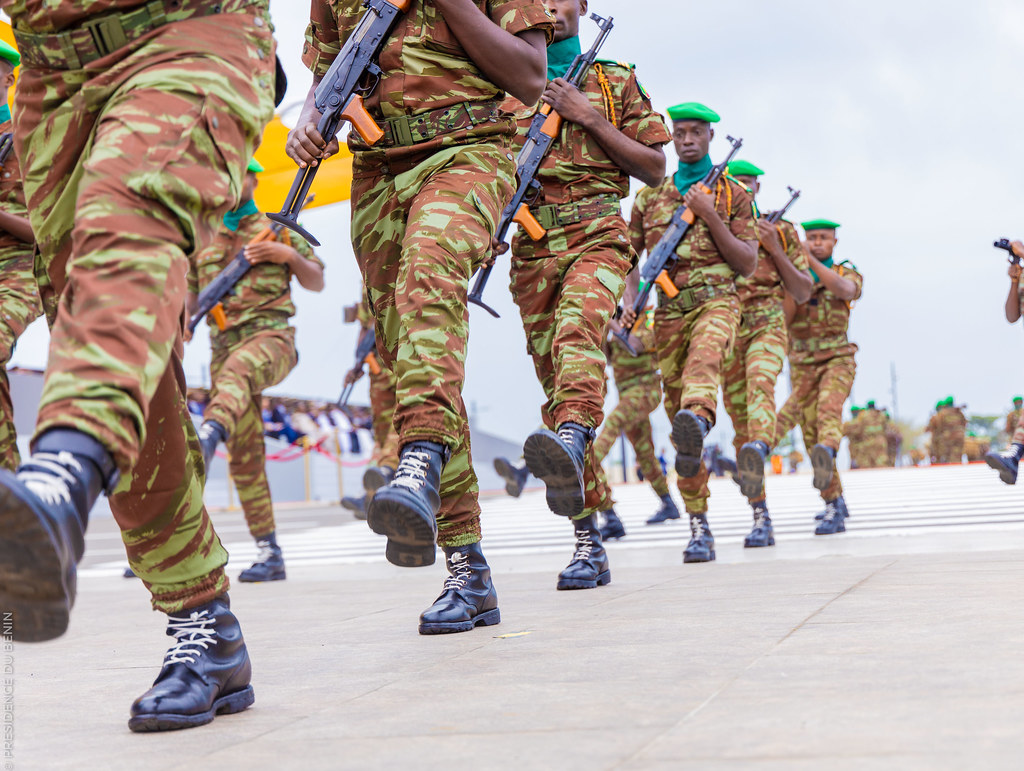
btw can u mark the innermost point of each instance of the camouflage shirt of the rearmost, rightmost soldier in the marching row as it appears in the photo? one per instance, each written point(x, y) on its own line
point(819, 330)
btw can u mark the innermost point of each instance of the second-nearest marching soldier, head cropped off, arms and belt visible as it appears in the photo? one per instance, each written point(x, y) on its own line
point(426, 201)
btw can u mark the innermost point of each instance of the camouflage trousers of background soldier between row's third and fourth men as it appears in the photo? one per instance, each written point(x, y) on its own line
point(632, 417)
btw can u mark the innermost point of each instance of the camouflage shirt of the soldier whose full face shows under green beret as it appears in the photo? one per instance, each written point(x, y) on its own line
point(701, 265)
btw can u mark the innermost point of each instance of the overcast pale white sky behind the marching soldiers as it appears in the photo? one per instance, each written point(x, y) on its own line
point(902, 120)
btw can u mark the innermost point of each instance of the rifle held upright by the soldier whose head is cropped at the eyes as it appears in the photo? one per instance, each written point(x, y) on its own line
point(544, 130)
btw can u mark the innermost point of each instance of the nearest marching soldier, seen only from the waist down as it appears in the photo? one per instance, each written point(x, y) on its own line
point(134, 131)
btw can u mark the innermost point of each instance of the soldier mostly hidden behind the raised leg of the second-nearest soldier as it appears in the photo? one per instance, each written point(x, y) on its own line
point(385, 460)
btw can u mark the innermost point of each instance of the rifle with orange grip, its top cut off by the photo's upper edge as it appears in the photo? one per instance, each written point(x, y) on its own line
point(339, 98)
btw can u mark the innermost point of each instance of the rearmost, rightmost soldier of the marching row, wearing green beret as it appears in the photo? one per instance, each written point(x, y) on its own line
point(823, 366)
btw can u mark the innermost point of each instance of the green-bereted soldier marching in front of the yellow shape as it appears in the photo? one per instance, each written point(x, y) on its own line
point(253, 352)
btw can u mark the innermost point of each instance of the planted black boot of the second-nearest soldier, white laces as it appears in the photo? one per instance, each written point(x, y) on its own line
point(468, 598)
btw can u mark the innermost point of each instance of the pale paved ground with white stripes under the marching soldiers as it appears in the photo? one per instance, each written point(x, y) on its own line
point(886, 648)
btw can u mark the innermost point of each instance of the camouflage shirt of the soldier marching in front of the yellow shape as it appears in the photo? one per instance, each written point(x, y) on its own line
point(264, 295)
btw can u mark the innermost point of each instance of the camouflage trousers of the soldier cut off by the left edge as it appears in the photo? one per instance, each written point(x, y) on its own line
point(19, 308)
